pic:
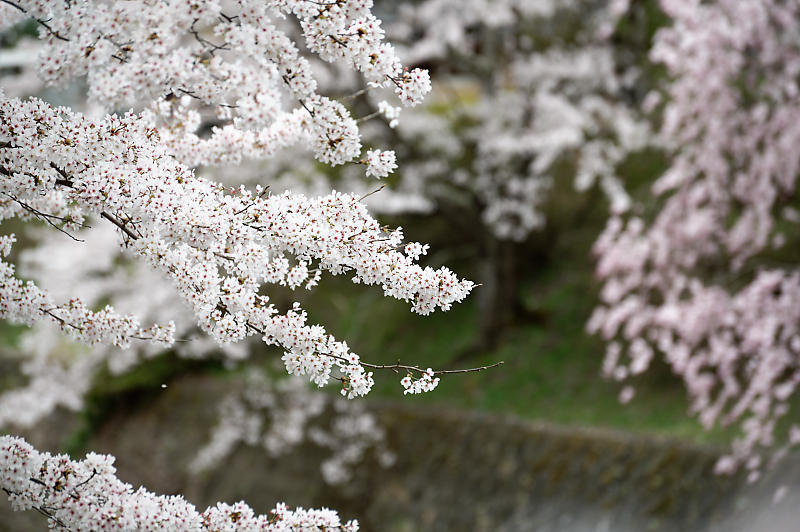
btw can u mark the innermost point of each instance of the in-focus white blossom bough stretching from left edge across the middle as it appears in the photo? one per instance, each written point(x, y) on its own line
point(218, 246)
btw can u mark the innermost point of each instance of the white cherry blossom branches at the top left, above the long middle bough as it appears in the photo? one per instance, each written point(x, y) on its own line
point(241, 62)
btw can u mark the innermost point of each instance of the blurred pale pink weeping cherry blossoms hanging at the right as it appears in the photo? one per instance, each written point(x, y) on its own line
point(696, 283)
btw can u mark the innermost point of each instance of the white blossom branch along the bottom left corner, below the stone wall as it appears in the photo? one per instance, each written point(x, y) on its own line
point(87, 495)
